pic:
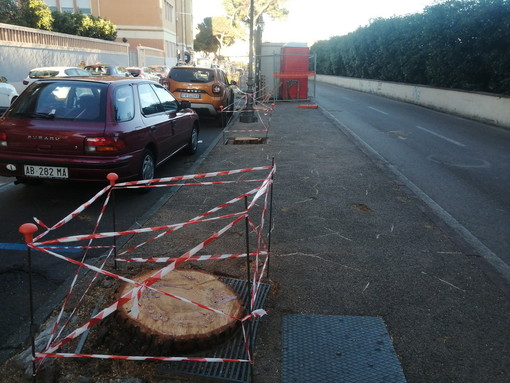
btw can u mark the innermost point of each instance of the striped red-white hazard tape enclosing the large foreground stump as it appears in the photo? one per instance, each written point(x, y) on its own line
point(258, 198)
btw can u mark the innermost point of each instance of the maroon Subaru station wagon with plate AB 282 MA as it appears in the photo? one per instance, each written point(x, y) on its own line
point(83, 129)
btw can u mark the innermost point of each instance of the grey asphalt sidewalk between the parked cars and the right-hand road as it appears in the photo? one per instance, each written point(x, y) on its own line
point(350, 240)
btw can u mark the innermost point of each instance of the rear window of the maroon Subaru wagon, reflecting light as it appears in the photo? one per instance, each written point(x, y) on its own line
point(71, 100)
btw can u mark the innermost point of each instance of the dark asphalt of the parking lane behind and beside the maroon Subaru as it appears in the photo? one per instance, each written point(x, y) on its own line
point(50, 202)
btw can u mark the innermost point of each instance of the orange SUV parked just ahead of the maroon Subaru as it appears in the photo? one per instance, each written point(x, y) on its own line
point(208, 89)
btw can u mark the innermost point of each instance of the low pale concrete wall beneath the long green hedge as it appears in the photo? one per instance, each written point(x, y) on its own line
point(492, 109)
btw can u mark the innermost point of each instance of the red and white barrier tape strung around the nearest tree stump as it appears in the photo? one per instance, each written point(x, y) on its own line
point(136, 292)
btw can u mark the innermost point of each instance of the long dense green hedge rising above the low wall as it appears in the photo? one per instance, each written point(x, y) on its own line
point(461, 44)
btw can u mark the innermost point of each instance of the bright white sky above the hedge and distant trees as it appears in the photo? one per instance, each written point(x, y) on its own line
point(312, 20)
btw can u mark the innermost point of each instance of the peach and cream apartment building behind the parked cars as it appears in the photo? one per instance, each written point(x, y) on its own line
point(159, 25)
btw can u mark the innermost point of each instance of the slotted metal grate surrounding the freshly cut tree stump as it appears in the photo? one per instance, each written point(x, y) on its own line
point(233, 348)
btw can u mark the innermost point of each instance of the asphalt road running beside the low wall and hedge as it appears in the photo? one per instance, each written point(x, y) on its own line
point(461, 168)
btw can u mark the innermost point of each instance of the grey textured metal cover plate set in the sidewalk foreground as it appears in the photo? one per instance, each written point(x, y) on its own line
point(347, 349)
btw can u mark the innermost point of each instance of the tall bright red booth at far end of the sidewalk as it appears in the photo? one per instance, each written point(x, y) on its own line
point(294, 71)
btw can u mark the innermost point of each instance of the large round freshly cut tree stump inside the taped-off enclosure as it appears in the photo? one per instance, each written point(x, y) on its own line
point(171, 324)
